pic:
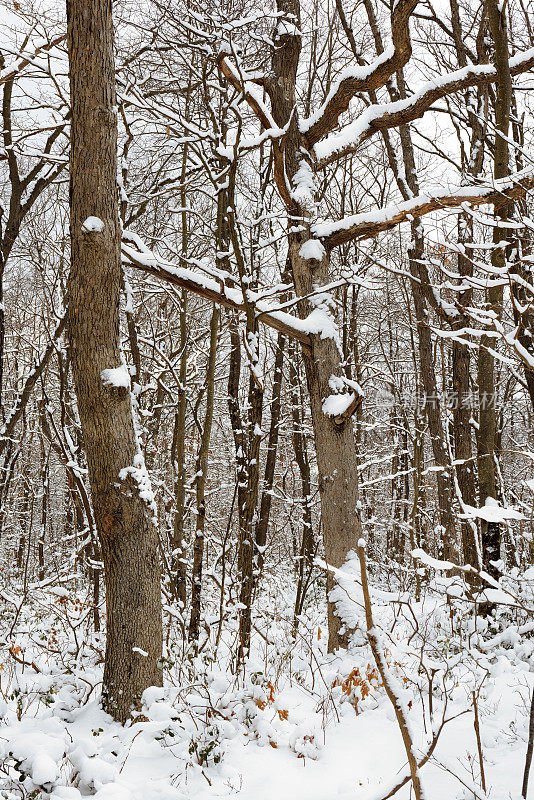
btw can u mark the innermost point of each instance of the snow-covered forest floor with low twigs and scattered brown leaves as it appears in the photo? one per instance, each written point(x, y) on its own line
point(296, 723)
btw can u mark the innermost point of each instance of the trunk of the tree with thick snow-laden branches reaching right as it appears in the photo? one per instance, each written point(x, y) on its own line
point(337, 458)
